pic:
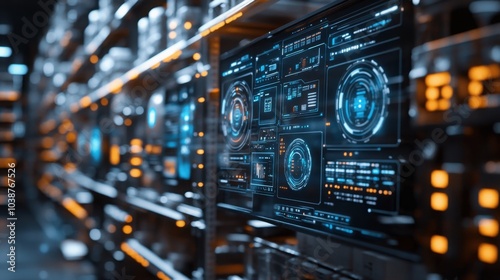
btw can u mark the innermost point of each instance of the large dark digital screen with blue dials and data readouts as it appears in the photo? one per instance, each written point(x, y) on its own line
point(314, 118)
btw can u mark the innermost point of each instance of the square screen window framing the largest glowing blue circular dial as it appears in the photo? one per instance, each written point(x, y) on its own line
point(365, 109)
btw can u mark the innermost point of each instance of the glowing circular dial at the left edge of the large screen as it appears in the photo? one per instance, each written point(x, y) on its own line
point(236, 115)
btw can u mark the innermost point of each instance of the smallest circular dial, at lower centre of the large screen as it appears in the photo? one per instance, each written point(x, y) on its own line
point(297, 164)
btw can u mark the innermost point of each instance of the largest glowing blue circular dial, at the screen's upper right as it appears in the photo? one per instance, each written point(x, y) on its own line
point(361, 102)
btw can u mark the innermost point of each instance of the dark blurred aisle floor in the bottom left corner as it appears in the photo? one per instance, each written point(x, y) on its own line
point(37, 257)
